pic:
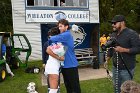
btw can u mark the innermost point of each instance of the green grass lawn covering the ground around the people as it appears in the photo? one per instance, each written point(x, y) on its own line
point(18, 84)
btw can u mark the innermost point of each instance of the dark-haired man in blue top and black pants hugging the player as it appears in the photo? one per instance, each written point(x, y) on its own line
point(70, 69)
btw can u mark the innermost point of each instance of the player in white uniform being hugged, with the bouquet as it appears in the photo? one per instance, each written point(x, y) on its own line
point(53, 65)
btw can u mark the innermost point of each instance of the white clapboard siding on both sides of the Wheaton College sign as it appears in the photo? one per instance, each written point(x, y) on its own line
point(32, 30)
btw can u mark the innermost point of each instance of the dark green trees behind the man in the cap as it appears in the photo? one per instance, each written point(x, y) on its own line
point(130, 9)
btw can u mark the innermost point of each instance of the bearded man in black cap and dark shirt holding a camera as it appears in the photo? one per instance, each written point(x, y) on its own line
point(128, 45)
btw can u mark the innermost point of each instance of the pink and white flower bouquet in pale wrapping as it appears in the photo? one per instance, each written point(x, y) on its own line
point(58, 49)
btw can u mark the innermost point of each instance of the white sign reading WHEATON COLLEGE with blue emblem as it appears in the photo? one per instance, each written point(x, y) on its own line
point(55, 15)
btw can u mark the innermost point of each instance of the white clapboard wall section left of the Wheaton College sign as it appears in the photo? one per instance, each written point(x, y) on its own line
point(31, 30)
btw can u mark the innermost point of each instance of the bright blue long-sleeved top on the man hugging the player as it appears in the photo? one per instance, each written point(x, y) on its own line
point(67, 40)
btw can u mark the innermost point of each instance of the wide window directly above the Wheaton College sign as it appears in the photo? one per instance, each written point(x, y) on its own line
point(58, 3)
